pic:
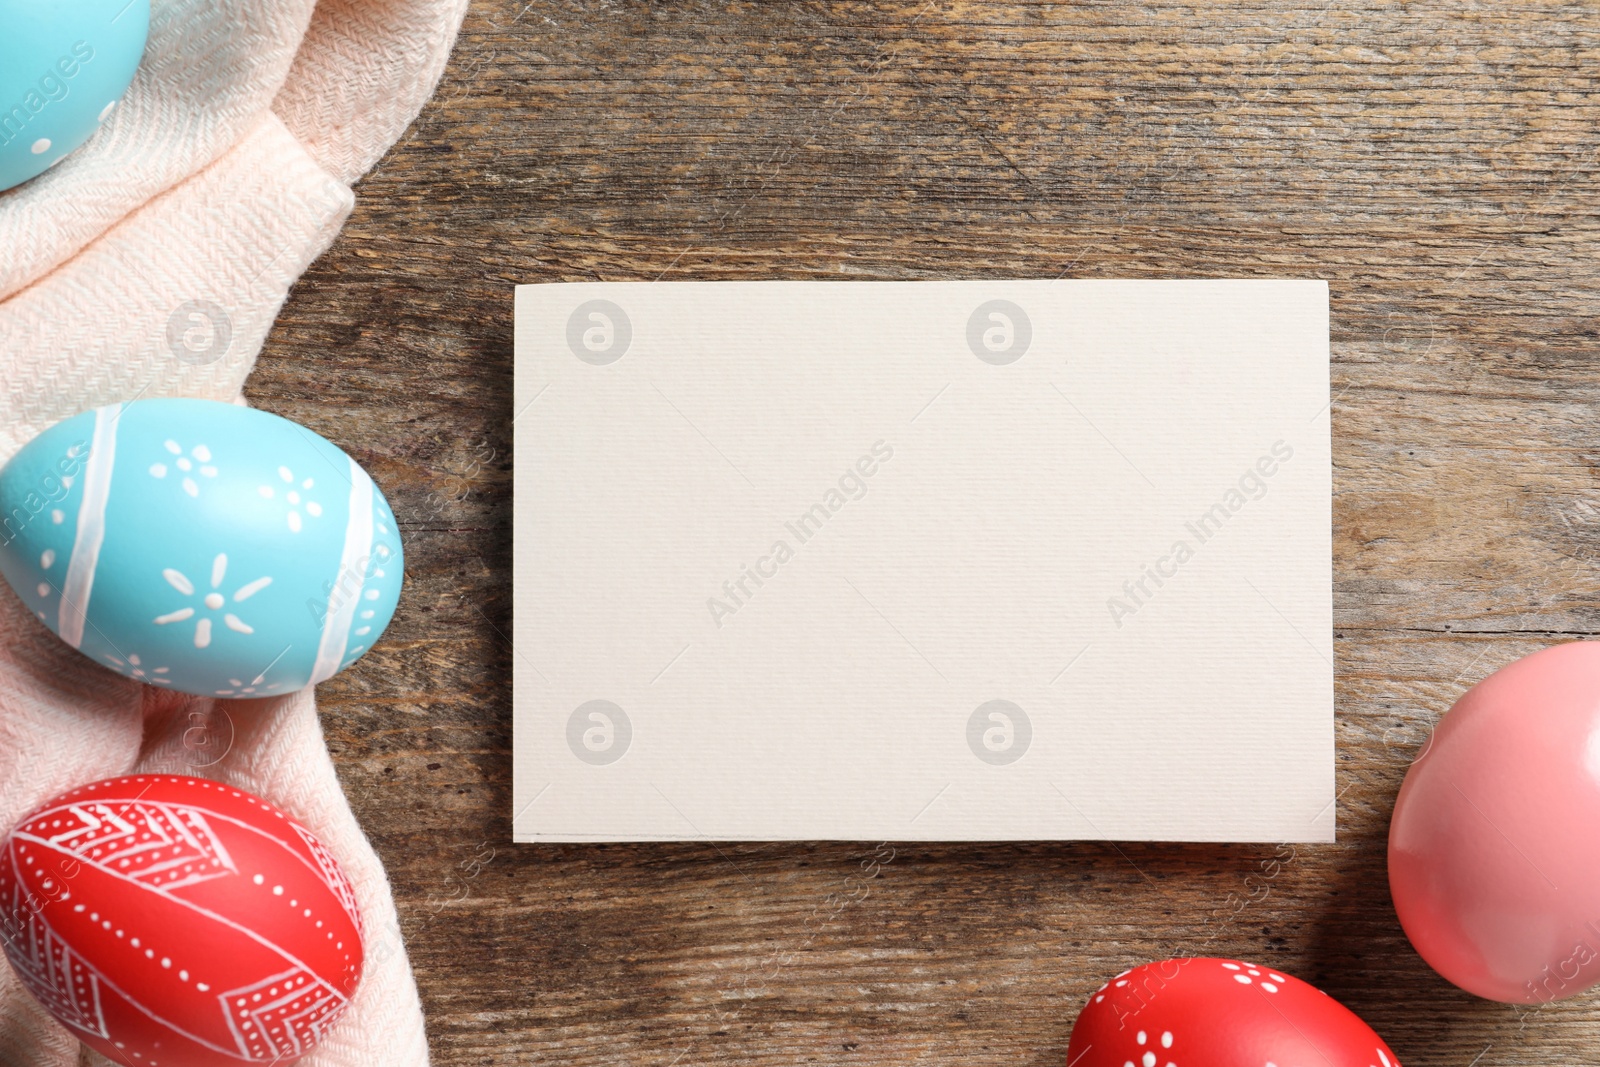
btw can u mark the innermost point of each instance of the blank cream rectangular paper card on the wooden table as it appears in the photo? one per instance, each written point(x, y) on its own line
point(924, 561)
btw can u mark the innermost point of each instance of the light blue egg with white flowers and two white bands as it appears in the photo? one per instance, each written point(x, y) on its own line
point(201, 546)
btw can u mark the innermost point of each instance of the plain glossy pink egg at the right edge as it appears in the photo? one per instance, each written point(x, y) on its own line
point(1492, 860)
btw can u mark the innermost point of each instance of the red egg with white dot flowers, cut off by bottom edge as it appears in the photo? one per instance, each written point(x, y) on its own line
point(1220, 1013)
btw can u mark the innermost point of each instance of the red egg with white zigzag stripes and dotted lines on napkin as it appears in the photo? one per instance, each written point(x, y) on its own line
point(177, 922)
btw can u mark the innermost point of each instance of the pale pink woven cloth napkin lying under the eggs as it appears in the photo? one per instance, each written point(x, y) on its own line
point(151, 265)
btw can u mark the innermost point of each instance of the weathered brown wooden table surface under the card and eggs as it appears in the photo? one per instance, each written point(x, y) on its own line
point(1436, 162)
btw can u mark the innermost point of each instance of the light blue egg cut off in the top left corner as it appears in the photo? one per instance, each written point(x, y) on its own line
point(63, 68)
